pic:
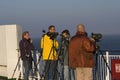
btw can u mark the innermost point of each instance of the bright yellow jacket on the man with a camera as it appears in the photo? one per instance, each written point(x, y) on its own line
point(49, 52)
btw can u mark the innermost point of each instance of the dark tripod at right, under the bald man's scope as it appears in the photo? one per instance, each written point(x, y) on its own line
point(99, 52)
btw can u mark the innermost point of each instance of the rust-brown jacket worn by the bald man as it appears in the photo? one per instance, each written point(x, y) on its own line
point(81, 51)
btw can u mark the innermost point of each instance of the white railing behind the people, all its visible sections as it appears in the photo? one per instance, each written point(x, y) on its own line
point(102, 72)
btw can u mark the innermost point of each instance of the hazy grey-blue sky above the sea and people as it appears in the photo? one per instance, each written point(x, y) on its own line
point(98, 16)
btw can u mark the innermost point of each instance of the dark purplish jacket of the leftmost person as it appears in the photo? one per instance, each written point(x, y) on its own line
point(25, 48)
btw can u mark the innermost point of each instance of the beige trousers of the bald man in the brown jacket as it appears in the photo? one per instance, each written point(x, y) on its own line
point(84, 74)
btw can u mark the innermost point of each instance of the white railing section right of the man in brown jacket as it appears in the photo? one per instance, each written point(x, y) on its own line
point(102, 70)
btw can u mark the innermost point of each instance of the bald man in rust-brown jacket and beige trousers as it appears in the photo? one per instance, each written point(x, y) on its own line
point(81, 54)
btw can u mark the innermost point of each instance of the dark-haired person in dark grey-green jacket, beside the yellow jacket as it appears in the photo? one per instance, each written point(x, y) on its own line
point(66, 71)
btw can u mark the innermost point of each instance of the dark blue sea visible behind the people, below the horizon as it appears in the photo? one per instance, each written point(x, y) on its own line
point(106, 43)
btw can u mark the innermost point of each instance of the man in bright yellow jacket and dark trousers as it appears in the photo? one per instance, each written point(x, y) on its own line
point(49, 46)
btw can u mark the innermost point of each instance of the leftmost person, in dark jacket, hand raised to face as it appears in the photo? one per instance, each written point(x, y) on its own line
point(25, 49)
